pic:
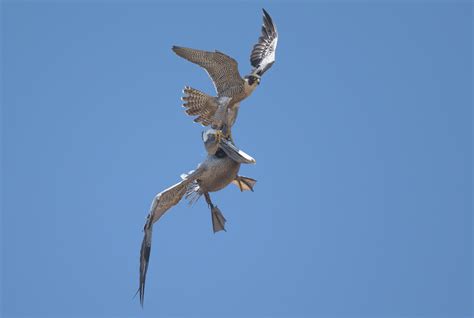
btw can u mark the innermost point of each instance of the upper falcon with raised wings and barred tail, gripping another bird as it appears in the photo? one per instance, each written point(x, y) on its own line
point(221, 111)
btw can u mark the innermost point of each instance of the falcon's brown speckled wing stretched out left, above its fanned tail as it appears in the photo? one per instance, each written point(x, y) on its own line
point(222, 69)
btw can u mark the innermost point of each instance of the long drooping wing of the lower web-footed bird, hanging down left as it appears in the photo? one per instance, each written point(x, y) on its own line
point(161, 203)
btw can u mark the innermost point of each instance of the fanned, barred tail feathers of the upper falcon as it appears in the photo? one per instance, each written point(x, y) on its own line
point(199, 104)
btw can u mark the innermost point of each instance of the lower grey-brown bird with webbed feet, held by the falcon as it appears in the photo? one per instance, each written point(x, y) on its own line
point(219, 169)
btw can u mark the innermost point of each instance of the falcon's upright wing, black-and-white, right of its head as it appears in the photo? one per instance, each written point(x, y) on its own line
point(263, 53)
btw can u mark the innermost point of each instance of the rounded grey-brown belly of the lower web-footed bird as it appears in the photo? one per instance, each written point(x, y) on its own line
point(219, 174)
